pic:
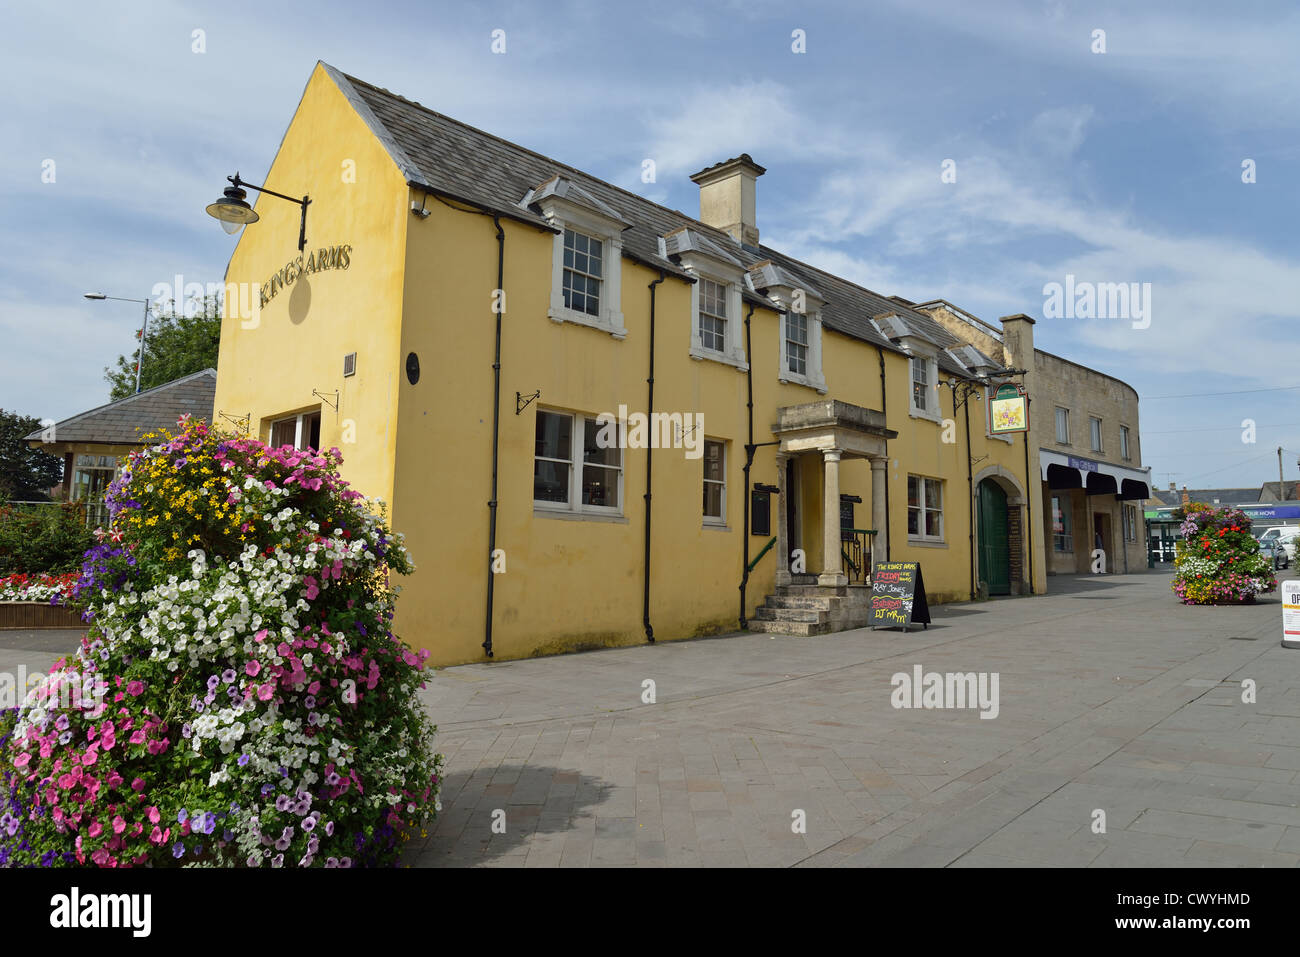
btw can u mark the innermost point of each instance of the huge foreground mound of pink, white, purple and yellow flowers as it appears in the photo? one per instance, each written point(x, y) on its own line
point(254, 707)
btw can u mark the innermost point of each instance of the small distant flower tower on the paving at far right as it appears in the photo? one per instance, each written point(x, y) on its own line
point(1219, 561)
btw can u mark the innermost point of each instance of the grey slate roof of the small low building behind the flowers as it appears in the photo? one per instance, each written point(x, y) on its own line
point(125, 421)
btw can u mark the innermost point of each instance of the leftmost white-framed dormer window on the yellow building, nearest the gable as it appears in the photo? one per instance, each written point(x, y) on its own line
point(587, 263)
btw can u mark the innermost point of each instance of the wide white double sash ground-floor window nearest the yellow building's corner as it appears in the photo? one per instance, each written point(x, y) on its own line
point(571, 470)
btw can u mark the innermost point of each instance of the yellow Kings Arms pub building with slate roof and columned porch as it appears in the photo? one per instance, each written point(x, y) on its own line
point(600, 422)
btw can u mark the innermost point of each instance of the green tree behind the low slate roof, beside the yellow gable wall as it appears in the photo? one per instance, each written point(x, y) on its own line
point(176, 345)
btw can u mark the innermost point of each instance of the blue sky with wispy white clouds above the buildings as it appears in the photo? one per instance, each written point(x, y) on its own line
point(973, 153)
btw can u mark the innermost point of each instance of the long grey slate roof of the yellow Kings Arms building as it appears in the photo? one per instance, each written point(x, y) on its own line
point(447, 157)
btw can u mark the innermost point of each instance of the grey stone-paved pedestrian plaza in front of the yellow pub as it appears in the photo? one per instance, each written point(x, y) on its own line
point(1112, 699)
